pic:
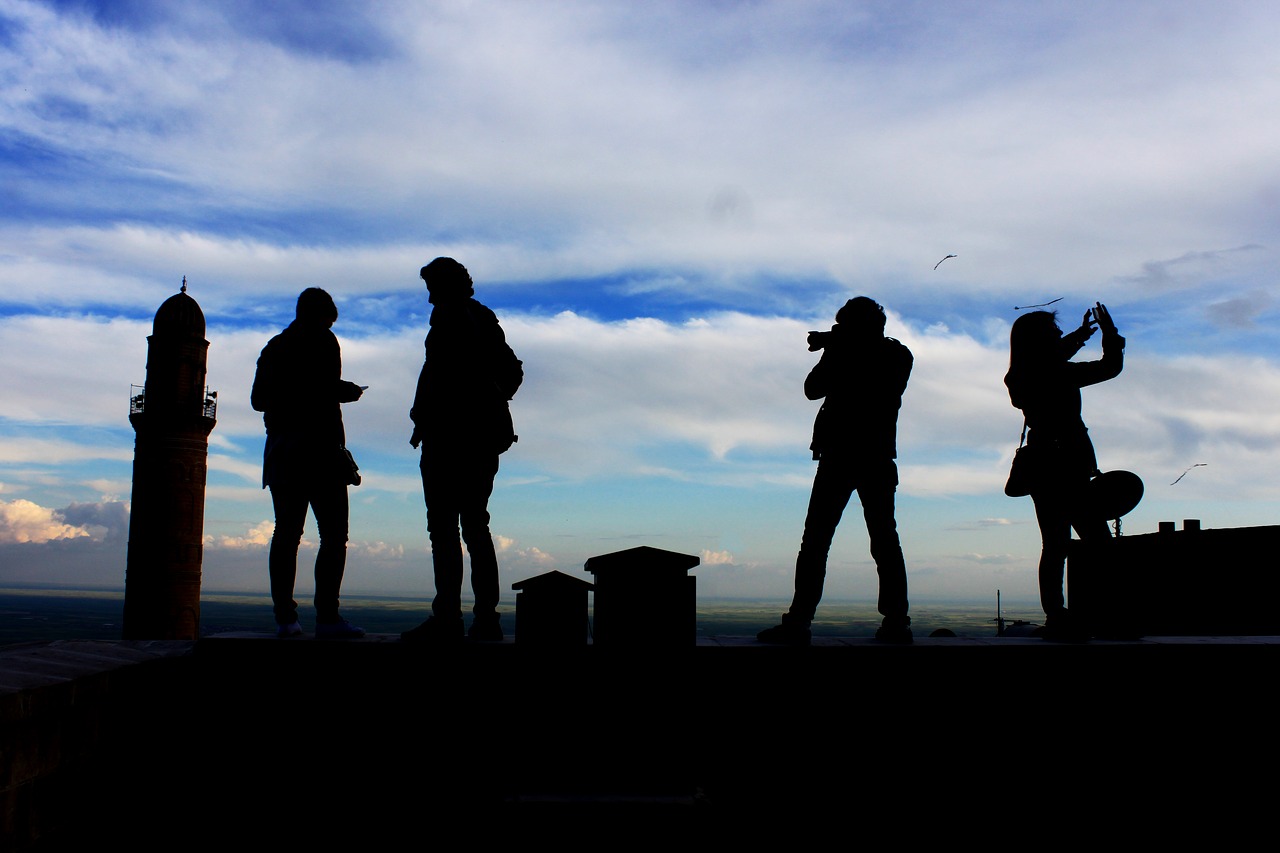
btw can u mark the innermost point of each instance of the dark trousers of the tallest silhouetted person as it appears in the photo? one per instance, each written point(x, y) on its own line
point(456, 486)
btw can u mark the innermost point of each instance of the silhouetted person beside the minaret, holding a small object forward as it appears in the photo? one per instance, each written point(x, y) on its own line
point(300, 391)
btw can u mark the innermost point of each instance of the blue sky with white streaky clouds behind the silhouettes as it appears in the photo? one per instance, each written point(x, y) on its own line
point(659, 200)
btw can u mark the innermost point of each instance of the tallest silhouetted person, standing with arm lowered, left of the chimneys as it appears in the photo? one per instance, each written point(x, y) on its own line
point(463, 422)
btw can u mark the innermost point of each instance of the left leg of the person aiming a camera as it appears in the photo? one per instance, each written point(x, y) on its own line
point(833, 487)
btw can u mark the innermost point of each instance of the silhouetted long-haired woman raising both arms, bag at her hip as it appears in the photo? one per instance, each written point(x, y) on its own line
point(1046, 385)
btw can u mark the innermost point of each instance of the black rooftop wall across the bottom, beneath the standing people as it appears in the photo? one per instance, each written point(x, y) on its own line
point(252, 743)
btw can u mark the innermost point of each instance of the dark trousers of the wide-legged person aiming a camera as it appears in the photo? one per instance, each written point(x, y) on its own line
point(834, 485)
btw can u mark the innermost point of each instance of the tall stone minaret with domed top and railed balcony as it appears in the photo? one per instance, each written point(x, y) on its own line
point(172, 418)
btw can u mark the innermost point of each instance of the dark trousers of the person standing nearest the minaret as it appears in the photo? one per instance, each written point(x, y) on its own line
point(330, 504)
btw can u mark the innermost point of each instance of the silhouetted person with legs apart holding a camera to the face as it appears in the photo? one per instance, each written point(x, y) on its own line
point(862, 376)
